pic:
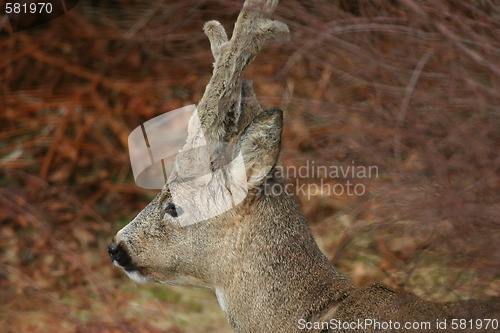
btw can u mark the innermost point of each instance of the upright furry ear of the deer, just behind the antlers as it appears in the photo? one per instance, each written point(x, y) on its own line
point(259, 145)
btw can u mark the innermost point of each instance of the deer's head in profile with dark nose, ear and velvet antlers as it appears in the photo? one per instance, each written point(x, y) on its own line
point(230, 151)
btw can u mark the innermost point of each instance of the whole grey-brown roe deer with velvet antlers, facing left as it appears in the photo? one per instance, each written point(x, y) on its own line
point(258, 255)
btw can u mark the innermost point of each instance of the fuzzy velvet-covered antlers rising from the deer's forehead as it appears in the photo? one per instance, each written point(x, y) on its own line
point(229, 103)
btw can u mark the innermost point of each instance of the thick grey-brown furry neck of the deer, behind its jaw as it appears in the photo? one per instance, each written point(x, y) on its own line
point(278, 275)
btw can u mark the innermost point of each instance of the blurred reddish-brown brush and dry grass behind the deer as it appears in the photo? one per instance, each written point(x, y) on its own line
point(408, 86)
